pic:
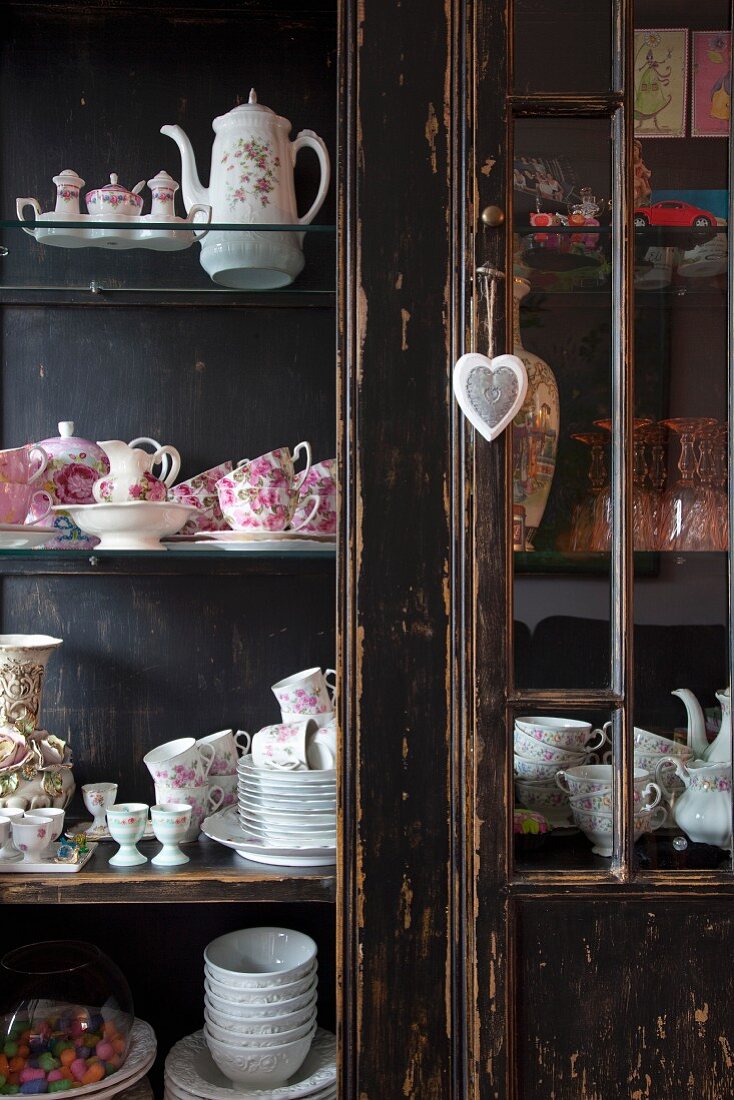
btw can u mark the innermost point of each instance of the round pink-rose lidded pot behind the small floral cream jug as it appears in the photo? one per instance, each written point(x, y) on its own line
point(74, 467)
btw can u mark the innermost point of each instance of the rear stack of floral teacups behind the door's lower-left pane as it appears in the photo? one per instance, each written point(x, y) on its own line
point(543, 746)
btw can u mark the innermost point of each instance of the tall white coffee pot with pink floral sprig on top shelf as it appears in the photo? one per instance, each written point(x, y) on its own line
point(251, 182)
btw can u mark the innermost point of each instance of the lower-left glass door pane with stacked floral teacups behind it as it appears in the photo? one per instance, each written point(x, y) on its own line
point(564, 818)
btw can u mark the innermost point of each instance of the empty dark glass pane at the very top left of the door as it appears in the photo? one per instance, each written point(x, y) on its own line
point(563, 47)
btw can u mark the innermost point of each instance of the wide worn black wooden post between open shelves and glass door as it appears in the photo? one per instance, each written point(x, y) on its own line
point(400, 1011)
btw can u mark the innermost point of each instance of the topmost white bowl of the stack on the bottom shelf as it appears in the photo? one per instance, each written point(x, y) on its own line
point(260, 959)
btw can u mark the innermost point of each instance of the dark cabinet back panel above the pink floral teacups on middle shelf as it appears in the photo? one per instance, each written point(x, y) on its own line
point(217, 384)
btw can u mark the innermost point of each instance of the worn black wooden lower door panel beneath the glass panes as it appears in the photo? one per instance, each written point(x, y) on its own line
point(625, 999)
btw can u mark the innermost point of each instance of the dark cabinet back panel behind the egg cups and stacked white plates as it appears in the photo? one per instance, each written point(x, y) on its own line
point(147, 659)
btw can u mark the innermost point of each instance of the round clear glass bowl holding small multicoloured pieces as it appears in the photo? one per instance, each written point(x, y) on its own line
point(67, 1014)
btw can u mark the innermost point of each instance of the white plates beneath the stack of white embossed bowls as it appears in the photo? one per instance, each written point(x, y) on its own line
point(191, 1072)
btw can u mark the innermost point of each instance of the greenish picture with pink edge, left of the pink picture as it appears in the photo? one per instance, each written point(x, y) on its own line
point(661, 78)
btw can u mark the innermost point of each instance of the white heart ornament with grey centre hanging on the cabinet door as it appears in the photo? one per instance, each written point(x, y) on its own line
point(490, 392)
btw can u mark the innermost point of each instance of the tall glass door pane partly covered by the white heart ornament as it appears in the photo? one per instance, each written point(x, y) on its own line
point(561, 438)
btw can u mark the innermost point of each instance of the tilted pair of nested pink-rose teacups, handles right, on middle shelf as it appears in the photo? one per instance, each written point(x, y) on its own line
point(262, 494)
